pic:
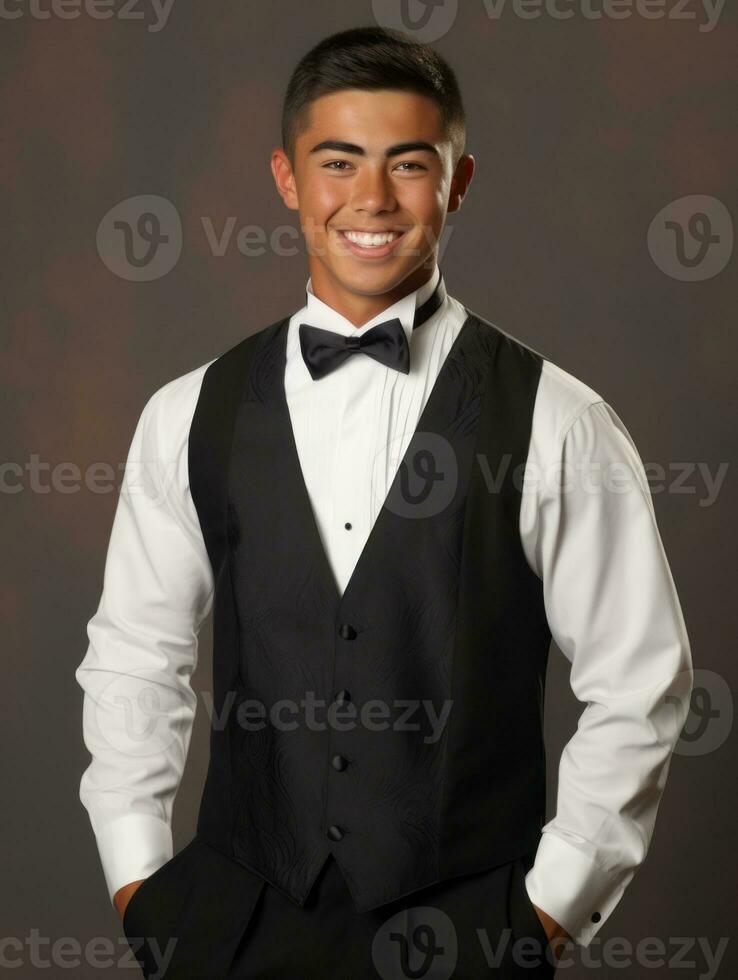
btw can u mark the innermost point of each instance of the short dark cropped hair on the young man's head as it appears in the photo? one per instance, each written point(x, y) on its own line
point(372, 58)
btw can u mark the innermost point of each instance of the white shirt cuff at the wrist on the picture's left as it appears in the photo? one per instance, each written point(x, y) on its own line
point(133, 847)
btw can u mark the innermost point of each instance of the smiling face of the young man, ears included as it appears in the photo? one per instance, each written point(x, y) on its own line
point(372, 161)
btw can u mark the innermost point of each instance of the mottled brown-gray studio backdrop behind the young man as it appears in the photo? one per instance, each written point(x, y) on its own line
point(582, 129)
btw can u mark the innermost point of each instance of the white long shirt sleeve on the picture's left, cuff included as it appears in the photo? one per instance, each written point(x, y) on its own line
point(138, 706)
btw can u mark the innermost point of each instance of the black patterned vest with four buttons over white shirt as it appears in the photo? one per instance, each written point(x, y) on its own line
point(442, 610)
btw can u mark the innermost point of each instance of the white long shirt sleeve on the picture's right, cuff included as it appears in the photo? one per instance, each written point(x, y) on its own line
point(614, 613)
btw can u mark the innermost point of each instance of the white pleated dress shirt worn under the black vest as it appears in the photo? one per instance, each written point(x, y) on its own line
point(591, 538)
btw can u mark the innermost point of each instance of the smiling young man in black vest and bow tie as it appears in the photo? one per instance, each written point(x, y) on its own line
point(344, 488)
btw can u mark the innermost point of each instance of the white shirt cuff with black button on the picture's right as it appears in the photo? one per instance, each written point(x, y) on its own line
point(572, 889)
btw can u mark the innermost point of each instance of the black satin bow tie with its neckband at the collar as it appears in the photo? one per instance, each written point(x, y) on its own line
point(324, 350)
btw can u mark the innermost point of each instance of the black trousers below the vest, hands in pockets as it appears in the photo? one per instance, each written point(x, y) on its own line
point(203, 916)
